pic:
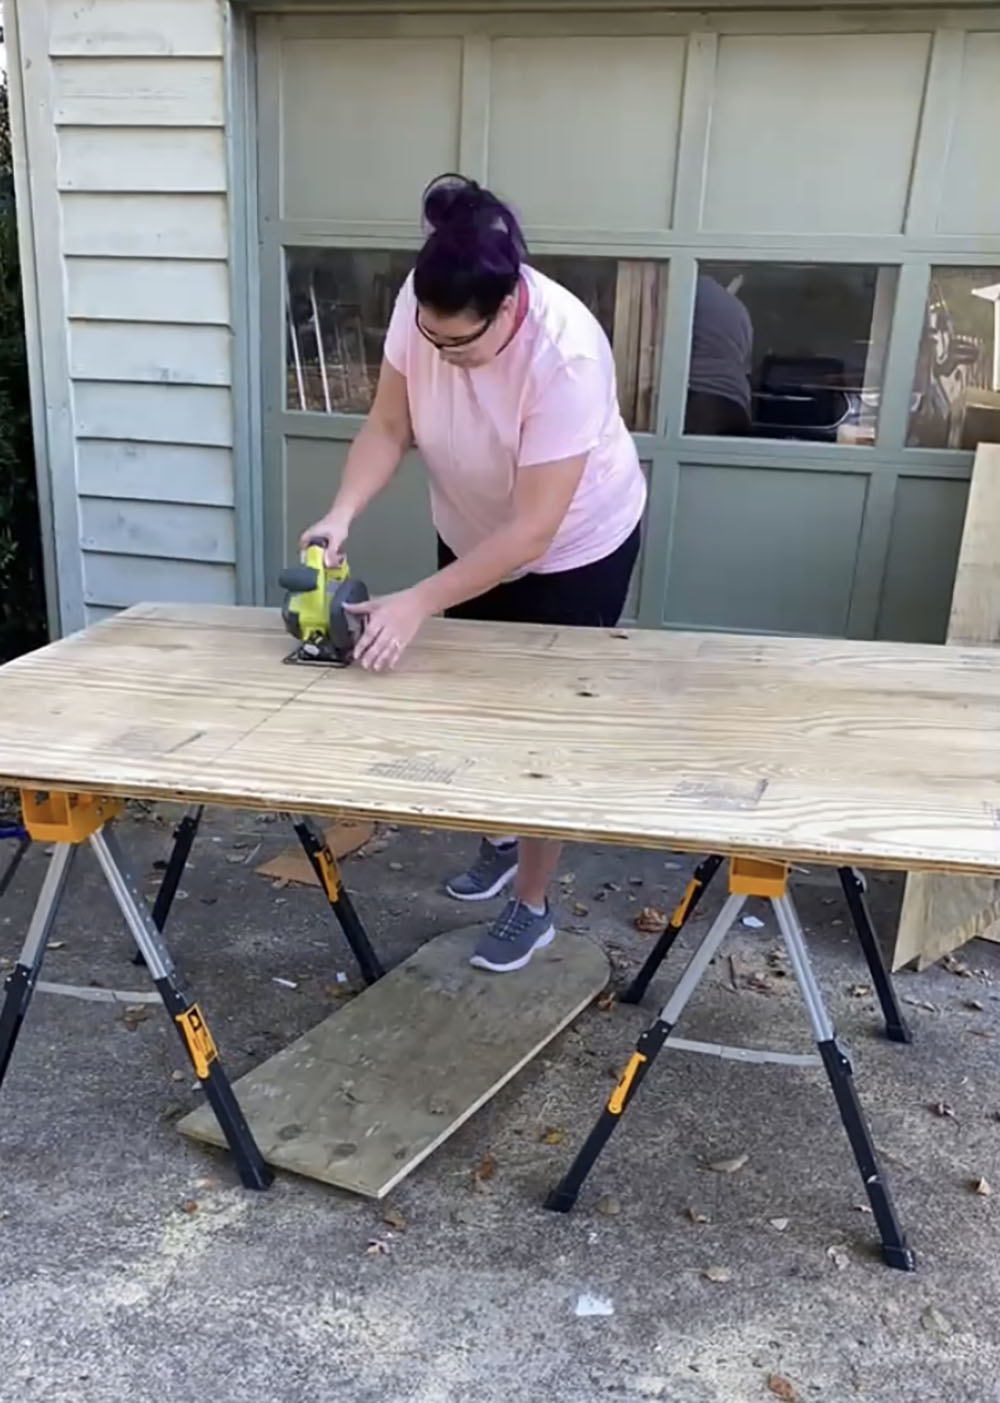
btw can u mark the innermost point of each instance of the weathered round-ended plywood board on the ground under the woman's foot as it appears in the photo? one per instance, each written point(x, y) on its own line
point(370, 1094)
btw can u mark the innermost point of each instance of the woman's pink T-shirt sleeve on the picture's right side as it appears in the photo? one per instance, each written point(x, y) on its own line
point(567, 416)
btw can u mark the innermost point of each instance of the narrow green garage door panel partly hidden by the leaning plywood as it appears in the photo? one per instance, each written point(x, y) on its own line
point(922, 559)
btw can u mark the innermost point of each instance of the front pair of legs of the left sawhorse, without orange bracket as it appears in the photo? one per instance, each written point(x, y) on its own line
point(184, 1014)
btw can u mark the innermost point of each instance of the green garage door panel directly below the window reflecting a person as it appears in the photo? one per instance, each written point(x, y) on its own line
point(764, 549)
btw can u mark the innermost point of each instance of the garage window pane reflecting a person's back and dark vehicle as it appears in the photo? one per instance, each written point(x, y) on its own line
point(790, 351)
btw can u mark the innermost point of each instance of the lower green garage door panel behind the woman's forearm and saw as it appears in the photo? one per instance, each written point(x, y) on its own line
point(393, 544)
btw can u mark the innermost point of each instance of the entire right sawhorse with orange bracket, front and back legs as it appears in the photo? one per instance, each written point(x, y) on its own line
point(766, 880)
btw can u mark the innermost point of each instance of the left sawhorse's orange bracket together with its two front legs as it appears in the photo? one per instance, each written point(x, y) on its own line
point(68, 821)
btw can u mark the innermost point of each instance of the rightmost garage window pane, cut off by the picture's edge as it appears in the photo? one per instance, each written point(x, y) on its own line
point(957, 388)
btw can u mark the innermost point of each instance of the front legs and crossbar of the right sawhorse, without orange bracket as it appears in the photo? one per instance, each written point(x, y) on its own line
point(832, 1056)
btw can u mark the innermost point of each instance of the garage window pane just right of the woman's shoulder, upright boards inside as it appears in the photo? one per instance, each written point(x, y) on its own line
point(628, 297)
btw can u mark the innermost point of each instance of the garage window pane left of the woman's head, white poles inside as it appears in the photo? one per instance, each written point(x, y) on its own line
point(337, 312)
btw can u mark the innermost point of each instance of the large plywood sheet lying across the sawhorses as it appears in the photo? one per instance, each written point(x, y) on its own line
point(831, 750)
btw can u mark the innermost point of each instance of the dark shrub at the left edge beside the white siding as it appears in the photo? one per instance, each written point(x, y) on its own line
point(22, 584)
